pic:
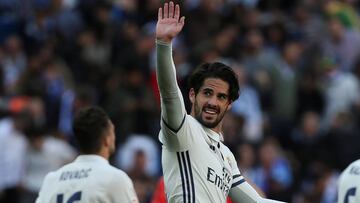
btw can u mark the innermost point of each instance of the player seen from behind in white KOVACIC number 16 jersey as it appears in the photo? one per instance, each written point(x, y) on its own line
point(90, 178)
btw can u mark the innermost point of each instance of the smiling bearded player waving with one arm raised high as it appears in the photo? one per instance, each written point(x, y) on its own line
point(197, 166)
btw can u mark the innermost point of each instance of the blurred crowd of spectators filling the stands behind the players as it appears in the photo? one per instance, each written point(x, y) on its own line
point(294, 128)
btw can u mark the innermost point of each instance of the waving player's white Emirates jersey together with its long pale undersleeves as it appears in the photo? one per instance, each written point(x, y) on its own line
point(197, 166)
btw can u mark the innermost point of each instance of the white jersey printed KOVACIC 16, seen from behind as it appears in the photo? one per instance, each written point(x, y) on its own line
point(90, 179)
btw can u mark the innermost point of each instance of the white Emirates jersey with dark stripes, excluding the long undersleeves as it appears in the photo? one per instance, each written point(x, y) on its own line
point(197, 166)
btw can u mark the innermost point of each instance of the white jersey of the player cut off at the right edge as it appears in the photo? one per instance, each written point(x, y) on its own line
point(349, 184)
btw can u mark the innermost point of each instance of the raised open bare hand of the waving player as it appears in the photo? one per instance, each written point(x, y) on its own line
point(169, 25)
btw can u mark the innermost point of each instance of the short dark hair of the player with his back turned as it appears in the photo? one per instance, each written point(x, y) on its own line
point(89, 126)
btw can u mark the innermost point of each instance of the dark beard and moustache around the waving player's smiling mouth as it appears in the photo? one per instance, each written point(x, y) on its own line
point(199, 115)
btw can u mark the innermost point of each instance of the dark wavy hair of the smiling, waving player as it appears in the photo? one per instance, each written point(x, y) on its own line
point(215, 70)
